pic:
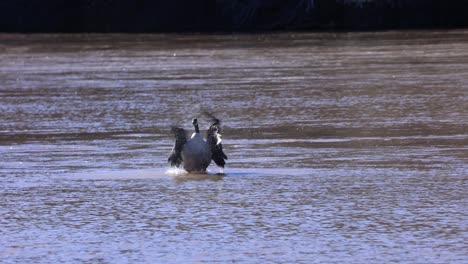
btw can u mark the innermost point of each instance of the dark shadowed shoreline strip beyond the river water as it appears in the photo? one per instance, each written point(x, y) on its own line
point(147, 16)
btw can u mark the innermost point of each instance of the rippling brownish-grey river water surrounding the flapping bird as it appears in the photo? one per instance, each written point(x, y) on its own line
point(343, 148)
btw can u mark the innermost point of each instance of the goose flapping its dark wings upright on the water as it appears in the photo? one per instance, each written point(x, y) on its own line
point(196, 153)
